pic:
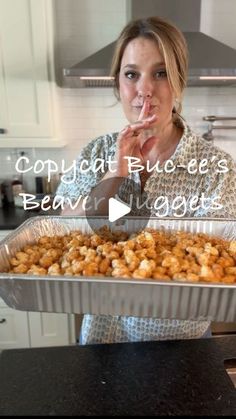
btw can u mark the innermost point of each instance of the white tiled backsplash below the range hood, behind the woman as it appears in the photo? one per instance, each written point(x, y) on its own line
point(88, 113)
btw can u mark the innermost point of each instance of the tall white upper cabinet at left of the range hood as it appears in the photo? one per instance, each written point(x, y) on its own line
point(28, 92)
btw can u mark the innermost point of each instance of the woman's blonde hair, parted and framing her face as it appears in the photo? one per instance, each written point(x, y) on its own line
point(171, 43)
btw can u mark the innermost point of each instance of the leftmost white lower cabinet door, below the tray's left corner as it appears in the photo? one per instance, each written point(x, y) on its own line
point(14, 331)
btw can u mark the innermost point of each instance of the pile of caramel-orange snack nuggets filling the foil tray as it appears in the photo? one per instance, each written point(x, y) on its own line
point(156, 254)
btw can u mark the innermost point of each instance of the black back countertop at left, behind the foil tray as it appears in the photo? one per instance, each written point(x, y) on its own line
point(12, 217)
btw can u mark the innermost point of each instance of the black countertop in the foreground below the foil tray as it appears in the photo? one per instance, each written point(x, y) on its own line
point(154, 378)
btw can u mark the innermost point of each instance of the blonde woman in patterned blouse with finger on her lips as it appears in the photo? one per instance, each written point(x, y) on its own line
point(150, 71)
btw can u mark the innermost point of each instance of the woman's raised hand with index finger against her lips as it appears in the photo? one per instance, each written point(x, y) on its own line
point(129, 142)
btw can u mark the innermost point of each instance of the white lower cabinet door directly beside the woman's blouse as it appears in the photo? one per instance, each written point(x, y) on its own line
point(51, 329)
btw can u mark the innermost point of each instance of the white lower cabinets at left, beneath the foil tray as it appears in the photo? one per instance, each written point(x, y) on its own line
point(19, 329)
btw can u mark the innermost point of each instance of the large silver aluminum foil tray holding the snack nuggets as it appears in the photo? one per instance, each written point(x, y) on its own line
point(114, 296)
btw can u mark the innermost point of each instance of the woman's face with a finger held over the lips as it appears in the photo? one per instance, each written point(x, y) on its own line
point(143, 77)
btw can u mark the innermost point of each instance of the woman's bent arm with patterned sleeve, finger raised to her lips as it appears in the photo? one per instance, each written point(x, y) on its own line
point(128, 144)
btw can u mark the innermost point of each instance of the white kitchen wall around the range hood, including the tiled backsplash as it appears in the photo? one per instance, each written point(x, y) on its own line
point(86, 113)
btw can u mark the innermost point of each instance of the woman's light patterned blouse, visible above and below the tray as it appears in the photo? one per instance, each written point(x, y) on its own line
point(217, 183)
